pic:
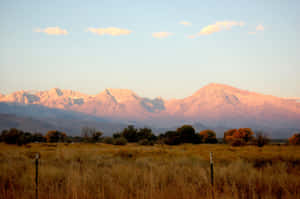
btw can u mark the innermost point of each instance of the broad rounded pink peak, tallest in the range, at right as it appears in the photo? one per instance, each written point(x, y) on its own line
point(229, 106)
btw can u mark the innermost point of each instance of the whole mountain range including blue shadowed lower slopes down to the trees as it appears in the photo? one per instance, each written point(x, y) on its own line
point(215, 106)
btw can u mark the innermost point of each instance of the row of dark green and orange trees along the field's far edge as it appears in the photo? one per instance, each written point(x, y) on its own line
point(144, 136)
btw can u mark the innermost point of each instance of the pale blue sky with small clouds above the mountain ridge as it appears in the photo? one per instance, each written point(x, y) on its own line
point(155, 48)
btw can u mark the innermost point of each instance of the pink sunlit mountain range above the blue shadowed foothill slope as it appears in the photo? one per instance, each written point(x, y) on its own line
point(214, 105)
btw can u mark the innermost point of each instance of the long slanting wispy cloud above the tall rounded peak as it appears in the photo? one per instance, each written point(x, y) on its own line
point(217, 27)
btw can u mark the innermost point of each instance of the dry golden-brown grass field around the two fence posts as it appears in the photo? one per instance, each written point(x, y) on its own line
point(88, 171)
